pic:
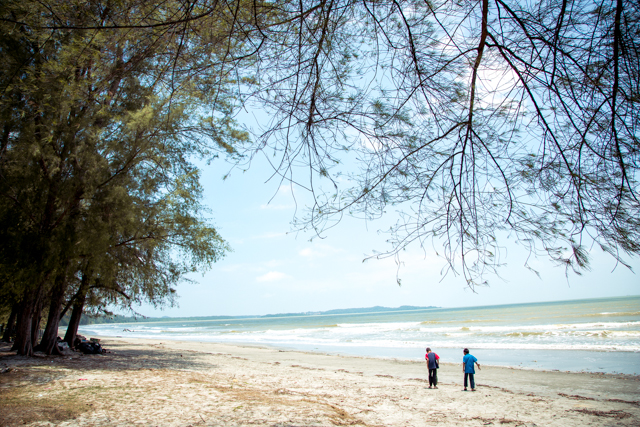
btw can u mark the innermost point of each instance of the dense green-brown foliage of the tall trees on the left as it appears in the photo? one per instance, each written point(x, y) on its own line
point(99, 130)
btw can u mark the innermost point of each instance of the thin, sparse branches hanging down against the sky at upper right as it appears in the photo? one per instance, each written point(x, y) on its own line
point(474, 119)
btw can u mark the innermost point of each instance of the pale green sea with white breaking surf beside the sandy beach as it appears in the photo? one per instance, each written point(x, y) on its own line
point(597, 335)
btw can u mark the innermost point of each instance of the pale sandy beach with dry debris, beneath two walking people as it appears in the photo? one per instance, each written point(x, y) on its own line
point(153, 383)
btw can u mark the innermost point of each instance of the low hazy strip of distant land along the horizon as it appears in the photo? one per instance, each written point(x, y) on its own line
point(86, 320)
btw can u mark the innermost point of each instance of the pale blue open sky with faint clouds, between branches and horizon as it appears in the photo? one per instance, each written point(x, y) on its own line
point(274, 270)
